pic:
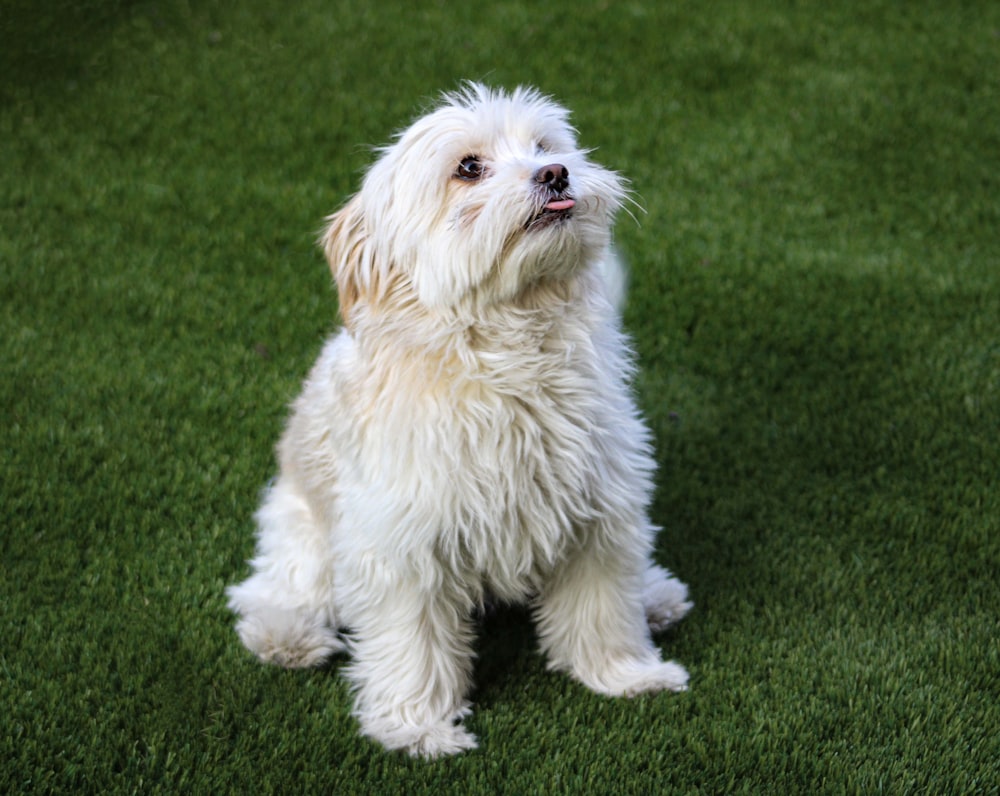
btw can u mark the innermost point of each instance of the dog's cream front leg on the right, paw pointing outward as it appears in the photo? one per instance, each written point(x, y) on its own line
point(592, 624)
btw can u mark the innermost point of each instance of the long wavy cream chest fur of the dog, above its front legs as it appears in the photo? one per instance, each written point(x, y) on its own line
point(501, 456)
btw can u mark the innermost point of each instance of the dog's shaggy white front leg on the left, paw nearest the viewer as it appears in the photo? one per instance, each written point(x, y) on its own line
point(412, 656)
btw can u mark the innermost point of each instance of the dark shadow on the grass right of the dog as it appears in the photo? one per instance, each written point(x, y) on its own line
point(787, 418)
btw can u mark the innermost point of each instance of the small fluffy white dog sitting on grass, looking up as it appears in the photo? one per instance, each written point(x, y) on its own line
point(468, 435)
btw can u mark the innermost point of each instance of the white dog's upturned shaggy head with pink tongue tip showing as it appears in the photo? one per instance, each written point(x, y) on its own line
point(477, 200)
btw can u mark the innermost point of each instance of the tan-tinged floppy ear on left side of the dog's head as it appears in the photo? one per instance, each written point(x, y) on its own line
point(345, 243)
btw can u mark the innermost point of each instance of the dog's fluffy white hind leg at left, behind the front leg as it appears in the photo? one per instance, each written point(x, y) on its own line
point(285, 608)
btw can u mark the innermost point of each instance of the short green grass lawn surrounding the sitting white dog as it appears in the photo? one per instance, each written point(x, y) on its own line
point(816, 307)
